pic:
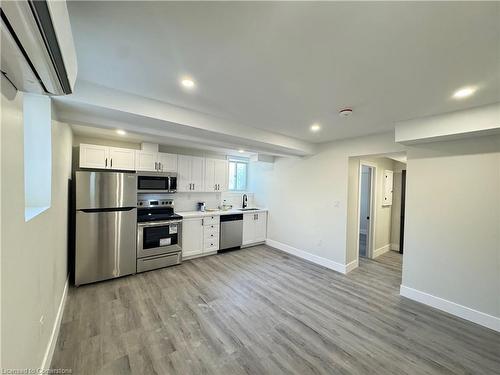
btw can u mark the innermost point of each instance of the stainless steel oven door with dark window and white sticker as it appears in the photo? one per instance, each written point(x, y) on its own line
point(160, 237)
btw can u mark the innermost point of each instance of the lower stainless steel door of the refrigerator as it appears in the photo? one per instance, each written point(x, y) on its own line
point(105, 244)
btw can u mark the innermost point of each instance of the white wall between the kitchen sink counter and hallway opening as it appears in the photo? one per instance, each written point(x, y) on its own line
point(307, 197)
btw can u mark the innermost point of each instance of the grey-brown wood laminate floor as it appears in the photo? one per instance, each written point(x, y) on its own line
point(261, 311)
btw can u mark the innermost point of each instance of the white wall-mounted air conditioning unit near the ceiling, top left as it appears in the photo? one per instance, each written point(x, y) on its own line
point(38, 54)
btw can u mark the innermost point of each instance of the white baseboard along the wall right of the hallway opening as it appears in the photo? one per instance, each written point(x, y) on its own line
point(452, 308)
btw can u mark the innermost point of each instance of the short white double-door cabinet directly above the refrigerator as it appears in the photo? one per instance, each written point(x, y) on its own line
point(103, 157)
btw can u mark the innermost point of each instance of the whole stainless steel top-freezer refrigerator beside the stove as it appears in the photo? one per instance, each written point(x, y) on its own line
point(106, 225)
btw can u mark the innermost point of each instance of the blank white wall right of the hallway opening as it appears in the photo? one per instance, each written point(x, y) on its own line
point(452, 227)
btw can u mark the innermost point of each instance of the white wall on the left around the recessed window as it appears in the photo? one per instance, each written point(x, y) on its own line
point(34, 253)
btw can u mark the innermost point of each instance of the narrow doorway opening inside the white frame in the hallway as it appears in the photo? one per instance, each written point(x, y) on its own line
point(366, 198)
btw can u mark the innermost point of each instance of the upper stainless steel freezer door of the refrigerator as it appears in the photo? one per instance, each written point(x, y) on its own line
point(105, 190)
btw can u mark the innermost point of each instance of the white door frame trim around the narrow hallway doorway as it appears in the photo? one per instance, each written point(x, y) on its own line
point(371, 224)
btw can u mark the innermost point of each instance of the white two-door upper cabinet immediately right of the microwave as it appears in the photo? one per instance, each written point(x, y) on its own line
point(190, 173)
